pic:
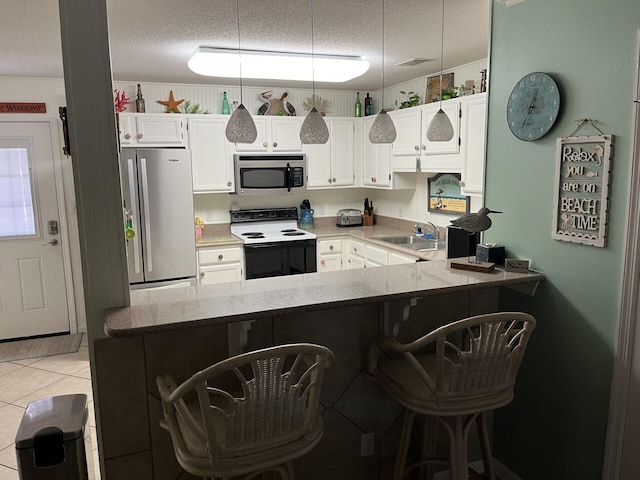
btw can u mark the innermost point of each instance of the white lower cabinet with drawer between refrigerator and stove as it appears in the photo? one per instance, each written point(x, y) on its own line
point(220, 265)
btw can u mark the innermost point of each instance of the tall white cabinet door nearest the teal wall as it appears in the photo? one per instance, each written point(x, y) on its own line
point(473, 134)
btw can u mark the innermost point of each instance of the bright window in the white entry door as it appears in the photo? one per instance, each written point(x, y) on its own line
point(17, 216)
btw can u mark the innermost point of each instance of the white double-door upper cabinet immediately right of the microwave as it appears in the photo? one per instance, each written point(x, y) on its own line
point(332, 164)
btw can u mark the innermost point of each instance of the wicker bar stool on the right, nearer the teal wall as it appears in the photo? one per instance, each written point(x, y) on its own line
point(471, 371)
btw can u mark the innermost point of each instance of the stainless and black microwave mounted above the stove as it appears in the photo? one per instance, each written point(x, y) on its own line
point(265, 174)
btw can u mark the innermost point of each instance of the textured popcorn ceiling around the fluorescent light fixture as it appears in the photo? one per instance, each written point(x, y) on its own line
point(151, 40)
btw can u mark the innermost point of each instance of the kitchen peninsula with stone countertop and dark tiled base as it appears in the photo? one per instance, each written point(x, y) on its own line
point(183, 330)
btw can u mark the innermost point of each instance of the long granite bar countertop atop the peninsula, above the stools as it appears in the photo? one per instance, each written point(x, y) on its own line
point(187, 307)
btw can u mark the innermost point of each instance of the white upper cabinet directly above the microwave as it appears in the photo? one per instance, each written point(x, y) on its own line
point(275, 134)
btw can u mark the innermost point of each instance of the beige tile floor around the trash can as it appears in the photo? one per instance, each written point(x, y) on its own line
point(23, 381)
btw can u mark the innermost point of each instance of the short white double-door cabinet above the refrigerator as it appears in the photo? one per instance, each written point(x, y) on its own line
point(152, 130)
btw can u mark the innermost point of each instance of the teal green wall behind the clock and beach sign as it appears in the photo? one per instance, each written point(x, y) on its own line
point(556, 426)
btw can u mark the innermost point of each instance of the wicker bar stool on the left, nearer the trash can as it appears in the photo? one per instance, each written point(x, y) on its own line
point(248, 414)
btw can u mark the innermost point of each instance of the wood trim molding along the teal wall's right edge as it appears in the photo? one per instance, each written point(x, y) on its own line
point(628, 305)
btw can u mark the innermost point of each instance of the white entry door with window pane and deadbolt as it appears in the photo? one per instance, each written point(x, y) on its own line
point(33, 295)
